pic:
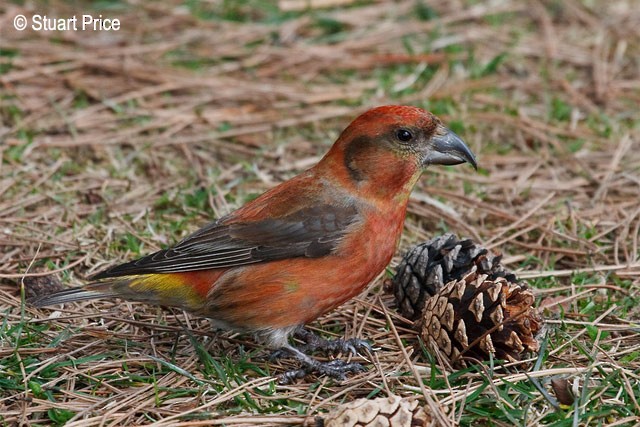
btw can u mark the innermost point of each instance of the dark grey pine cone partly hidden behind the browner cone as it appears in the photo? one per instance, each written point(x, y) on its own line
point(426, 268)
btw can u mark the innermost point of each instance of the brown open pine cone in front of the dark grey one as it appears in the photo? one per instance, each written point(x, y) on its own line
point(476, 316)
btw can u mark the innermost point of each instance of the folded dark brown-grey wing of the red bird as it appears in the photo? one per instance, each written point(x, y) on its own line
point(310, 232)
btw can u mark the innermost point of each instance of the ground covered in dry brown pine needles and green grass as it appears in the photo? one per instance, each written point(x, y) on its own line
point(114, 144)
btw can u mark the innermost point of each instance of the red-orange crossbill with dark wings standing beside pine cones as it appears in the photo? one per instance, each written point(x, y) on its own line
point(300, 249)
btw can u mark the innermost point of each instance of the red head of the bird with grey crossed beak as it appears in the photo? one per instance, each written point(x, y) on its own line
point(388, 147)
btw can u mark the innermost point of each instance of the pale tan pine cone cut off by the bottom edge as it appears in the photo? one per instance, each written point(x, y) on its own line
point(384, 411)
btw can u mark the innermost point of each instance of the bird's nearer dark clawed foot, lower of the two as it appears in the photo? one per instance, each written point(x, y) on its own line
point(336, 369)
